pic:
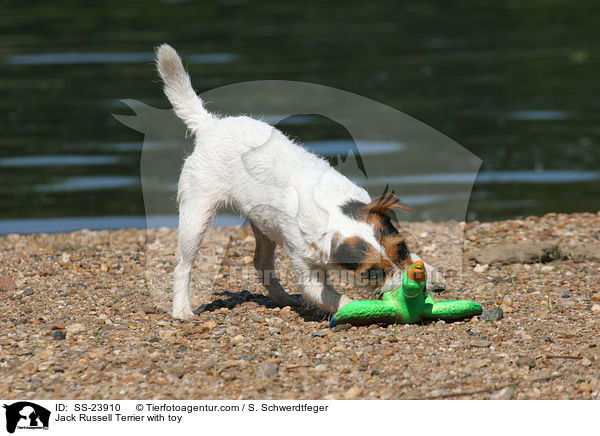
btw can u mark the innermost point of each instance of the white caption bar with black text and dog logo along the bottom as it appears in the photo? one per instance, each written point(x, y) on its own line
point(271, 417)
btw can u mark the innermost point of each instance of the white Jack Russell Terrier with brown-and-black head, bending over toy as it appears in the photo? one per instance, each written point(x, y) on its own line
point(291, 197)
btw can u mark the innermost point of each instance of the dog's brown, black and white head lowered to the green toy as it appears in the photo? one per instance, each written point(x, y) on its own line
point(376, 253)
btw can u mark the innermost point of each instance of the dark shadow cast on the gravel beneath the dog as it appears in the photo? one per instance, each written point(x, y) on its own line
point(231, 300)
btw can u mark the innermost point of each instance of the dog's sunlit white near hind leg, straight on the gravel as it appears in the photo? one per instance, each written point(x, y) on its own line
point(195, 215)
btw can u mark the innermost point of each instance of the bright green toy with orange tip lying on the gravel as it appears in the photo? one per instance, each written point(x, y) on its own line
point(407, 304)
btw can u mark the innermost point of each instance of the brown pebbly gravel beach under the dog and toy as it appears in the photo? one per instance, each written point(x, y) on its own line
point(85, 316)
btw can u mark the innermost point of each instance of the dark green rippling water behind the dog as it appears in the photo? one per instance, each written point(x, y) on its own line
point(514, 83)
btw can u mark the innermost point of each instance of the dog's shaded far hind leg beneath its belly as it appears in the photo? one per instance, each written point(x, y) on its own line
point(264, 262)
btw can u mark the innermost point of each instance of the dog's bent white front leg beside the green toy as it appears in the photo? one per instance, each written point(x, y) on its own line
point(316, 288)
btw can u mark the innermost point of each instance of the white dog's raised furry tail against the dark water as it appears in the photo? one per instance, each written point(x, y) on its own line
point(178, 89)
